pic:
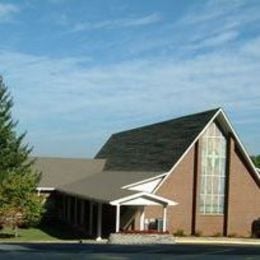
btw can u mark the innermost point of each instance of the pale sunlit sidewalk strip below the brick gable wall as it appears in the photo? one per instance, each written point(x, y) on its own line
point(217, 240)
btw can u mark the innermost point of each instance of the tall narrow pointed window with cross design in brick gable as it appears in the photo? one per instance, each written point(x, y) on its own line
point(213, 171)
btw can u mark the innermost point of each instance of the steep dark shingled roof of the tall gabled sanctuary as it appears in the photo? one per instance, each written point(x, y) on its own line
point(155, 147)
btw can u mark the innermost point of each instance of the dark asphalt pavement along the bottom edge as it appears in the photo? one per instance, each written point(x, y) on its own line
point(104, 251)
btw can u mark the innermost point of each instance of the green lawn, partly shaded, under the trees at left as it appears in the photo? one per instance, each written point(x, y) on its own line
point(41, 233)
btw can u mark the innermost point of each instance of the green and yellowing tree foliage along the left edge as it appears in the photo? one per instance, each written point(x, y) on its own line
point(19, 203)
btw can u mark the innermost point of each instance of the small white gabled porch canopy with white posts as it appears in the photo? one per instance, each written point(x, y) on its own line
point(142, 199)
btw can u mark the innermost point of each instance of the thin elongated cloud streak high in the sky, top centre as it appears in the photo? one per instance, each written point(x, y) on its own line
point(117, 23)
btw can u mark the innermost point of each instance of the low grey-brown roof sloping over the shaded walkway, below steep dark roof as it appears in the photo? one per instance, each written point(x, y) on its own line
point(106, 186)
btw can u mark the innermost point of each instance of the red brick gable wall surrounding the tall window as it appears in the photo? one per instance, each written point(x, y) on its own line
point(242, 198)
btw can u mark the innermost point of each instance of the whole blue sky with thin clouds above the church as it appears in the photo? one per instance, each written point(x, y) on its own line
point(80, 70)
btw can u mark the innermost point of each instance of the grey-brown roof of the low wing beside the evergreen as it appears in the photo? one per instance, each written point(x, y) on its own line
point(60, 171)
